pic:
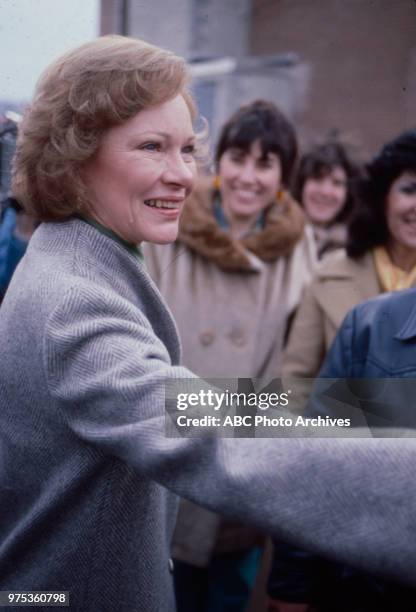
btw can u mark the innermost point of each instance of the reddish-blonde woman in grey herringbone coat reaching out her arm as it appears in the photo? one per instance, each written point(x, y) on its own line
point(105, 159)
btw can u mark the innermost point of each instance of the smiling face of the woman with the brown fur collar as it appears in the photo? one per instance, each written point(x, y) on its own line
point(249, 181)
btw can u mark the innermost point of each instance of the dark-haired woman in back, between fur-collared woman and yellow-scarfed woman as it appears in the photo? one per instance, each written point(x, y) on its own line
point(326, 188)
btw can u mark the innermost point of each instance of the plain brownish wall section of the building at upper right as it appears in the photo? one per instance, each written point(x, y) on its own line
point(362, 59)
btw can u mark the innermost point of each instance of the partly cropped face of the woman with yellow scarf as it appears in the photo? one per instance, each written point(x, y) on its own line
point(401, 211)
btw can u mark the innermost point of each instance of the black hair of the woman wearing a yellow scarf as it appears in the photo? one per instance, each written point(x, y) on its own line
point(368, 227)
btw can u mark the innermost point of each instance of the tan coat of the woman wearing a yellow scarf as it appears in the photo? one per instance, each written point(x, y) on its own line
point(339, 284)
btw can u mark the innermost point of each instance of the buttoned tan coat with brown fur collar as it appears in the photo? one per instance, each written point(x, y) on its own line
point(231, 300)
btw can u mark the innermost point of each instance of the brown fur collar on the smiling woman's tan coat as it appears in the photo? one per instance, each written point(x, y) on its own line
point(199, 230)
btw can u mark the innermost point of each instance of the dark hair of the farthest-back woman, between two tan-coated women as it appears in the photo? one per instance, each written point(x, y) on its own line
point(319, 162)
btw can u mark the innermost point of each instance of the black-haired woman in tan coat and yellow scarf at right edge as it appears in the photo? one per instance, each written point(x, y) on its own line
point(381, 256)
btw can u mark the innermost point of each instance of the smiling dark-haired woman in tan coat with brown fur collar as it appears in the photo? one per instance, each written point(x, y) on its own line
point(232, 279)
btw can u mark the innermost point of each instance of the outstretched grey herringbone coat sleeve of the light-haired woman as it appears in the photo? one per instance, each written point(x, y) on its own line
point(106, 370)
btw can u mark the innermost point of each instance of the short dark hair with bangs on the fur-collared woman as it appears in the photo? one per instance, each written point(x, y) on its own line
point(261, 121)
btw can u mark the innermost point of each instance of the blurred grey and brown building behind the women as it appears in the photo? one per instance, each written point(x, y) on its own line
point(348, 65)
